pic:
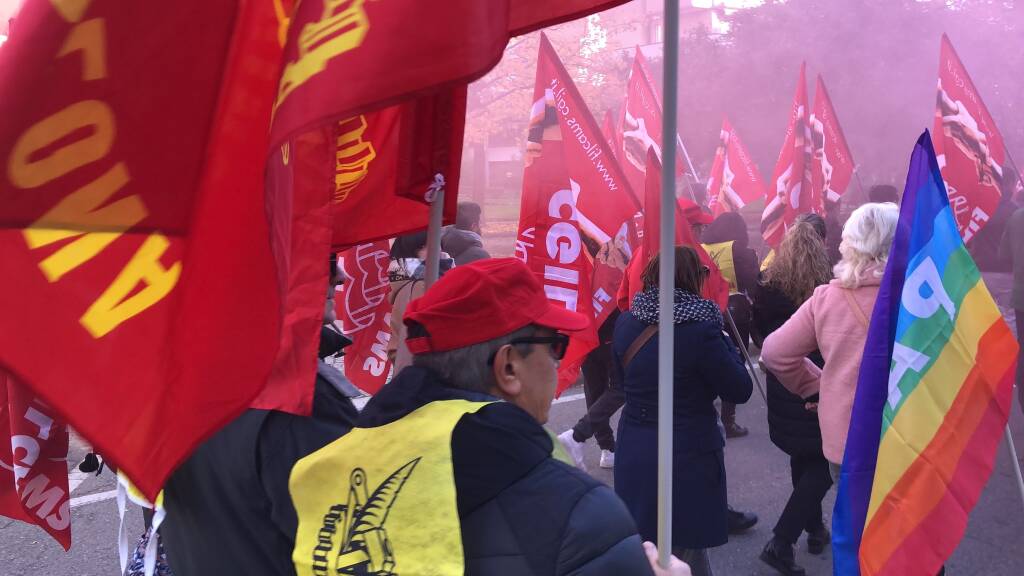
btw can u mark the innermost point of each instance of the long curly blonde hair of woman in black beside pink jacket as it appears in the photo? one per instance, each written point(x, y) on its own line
point(801, 264)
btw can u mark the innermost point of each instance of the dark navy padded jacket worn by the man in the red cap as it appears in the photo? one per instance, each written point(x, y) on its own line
point(523, 513)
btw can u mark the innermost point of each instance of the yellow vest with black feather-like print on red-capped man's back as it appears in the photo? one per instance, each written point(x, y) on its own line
point(382, 501)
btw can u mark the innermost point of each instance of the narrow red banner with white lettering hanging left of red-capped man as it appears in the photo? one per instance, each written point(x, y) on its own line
point(365, 312)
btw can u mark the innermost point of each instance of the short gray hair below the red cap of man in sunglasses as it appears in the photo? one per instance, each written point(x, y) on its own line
point(468, 368)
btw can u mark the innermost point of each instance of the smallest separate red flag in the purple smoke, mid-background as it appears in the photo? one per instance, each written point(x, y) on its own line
point(735, 180)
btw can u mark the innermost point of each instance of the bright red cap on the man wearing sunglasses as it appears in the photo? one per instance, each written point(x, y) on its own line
point(484, 301)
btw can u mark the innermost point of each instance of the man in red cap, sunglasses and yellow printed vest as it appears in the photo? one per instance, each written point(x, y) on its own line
point(464, 474)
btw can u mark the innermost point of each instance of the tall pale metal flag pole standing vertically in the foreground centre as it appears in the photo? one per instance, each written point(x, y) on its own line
point(667, 289)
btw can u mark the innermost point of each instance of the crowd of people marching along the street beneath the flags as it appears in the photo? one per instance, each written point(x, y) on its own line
point(476, 369)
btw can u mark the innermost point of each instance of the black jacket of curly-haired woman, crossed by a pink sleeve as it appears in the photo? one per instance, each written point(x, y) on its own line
point(792, 427)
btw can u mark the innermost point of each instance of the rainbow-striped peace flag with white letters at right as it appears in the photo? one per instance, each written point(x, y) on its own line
point(933, 396)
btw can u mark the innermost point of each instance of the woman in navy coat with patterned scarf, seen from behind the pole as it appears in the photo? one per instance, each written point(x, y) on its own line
point(707, 366)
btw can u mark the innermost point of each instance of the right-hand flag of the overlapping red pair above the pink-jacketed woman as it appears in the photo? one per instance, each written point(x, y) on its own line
point(832, 162)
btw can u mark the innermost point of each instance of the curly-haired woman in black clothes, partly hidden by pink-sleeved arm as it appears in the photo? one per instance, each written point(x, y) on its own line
point(801, 265)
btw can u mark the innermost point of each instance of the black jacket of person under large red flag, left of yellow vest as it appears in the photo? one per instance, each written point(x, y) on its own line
point(229, 510)
